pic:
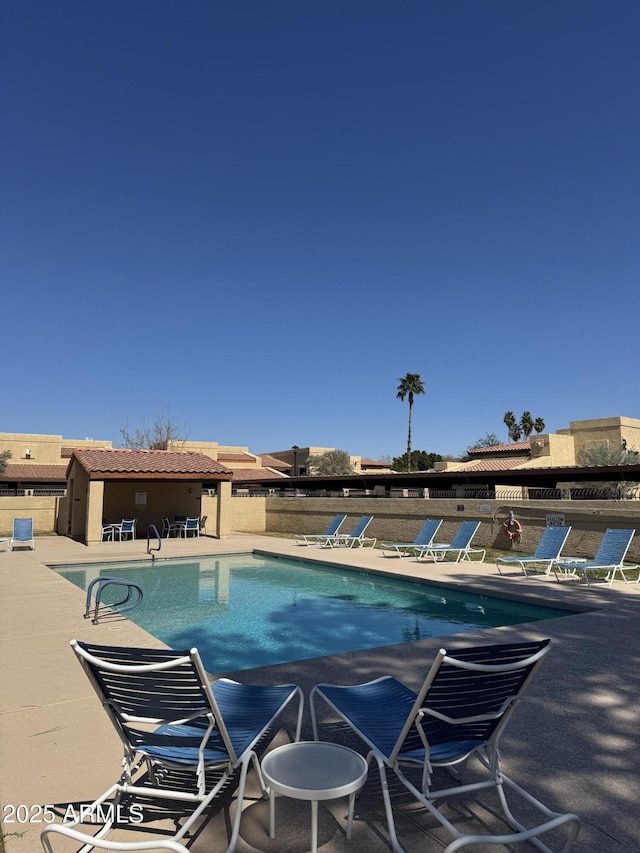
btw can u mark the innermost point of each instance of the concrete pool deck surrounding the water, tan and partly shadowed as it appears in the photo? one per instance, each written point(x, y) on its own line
point(573, 743)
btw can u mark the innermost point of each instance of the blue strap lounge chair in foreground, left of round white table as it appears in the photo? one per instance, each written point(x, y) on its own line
point(185, 740)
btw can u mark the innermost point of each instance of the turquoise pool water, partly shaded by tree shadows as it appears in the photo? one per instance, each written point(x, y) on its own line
point(245, 611)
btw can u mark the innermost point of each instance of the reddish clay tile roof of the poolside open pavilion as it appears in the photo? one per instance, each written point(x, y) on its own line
point(103, 463)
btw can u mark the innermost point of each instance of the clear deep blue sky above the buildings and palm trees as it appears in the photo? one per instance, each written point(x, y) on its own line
point(256, 216)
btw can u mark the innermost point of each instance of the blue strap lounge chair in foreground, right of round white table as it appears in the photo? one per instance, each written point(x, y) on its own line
point(460, 711)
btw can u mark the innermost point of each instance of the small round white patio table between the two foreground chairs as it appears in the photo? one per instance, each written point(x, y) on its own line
point(313, 770)
